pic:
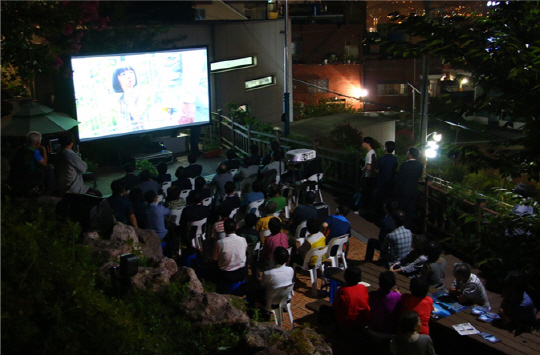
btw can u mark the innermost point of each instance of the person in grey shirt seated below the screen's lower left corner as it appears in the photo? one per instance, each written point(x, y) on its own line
point(70, 168)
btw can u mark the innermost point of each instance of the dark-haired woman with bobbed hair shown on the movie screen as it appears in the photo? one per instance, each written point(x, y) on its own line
point(132, 108)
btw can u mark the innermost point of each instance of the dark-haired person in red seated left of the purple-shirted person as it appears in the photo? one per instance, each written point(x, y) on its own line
point(351, 304)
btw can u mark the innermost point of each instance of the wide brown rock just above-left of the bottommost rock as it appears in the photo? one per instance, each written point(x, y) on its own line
point(211, 308)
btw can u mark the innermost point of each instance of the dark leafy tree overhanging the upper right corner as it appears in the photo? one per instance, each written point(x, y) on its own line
point(502, 52)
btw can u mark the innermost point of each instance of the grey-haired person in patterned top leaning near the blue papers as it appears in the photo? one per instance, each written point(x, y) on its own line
point(467, 287)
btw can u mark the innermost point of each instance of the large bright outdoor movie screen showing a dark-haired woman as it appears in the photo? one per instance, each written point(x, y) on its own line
point(132, 93)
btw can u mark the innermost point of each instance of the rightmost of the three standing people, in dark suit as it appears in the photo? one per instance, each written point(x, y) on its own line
point(406, 184)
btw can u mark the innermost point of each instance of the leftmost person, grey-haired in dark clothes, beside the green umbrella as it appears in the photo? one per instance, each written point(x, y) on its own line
point(27, 167)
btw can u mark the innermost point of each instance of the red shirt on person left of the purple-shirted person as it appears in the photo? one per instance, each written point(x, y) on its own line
point(351, 307)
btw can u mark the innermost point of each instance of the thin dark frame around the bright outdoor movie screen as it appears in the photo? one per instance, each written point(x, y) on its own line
point(142, 52)
